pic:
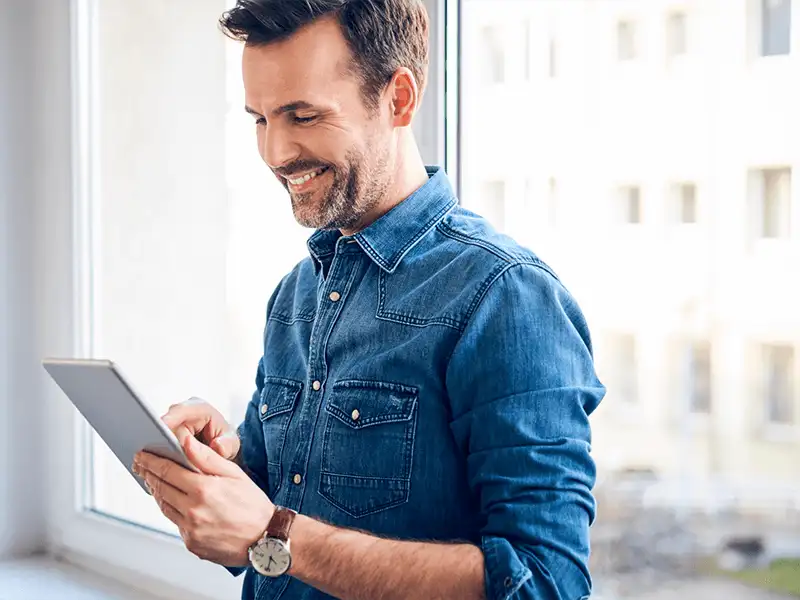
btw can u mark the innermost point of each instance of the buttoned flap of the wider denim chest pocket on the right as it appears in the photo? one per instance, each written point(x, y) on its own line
point(361, 404)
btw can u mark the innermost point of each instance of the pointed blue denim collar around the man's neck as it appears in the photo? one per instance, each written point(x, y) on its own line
point(393, 235)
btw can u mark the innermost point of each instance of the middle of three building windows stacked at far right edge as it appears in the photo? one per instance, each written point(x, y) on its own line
point(773, 203)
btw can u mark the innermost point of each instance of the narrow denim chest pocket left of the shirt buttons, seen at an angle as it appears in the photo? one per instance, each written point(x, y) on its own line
point(275, 409)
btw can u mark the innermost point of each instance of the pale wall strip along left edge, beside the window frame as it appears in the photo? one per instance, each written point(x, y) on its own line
point(21, 475)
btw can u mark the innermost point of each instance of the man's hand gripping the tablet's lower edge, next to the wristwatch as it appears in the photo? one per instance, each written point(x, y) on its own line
point(220, 512)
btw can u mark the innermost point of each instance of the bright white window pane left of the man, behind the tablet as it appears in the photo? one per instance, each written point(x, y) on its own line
point(180, 280)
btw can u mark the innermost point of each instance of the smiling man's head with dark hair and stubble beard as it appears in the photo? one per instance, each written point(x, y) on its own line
point(332, 84)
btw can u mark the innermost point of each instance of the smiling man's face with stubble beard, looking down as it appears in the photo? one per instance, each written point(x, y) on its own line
point(325, 146)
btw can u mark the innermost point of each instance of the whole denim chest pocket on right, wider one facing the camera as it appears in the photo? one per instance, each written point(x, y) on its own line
point(368, 446)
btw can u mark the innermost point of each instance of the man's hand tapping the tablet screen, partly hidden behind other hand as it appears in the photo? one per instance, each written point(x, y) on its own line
point(195, 416)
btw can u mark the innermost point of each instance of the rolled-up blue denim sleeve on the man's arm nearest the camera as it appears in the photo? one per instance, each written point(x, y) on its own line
point(522, 385)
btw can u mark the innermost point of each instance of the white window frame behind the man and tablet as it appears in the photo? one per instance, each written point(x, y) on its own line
point(147, 560)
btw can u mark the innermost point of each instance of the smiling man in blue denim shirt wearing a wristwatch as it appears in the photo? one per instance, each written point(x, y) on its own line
point(420, 425)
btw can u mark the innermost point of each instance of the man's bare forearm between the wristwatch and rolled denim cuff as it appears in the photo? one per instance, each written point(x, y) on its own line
point(384, 569)
